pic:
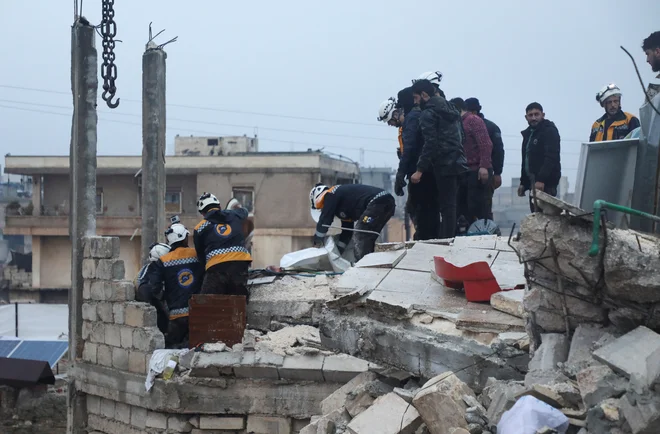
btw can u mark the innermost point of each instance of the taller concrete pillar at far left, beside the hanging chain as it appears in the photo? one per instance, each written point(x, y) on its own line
point(82, 175)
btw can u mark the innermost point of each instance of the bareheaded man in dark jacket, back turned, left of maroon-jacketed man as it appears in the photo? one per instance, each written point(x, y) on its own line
point(442, 153)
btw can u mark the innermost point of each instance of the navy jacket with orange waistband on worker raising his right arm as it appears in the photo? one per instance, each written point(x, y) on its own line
point(219, 237)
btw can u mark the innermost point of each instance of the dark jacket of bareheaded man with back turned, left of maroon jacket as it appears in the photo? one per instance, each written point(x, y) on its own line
point(442, 152)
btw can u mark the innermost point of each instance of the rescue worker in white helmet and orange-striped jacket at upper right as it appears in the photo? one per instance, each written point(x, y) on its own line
point(615, 124)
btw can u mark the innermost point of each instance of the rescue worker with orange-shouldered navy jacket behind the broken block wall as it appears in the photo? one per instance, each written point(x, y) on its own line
point(181, 273)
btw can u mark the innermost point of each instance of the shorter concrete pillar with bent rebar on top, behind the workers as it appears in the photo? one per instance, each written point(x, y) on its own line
point(153, 146)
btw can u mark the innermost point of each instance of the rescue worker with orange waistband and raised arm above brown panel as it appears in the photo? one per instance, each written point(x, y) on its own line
point(220, 245)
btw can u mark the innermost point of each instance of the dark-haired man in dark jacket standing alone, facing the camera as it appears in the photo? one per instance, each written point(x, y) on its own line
point(541, 167)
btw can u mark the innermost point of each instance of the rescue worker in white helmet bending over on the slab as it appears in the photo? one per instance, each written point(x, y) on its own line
point(358, 206)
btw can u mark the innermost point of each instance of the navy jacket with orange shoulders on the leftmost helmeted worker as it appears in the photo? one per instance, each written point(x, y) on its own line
point(181, 274)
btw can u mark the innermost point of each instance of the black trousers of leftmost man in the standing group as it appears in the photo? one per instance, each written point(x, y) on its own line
point(423, 204)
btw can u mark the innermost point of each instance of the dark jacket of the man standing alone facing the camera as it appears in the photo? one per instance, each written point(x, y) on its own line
point(543, 156)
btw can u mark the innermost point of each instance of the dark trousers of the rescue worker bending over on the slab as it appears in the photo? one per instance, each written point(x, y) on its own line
point(374, 218)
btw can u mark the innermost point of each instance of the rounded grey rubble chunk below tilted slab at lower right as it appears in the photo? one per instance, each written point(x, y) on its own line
point(598, 383)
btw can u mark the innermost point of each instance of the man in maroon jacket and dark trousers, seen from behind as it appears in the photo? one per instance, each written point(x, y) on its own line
point(473, 190)
